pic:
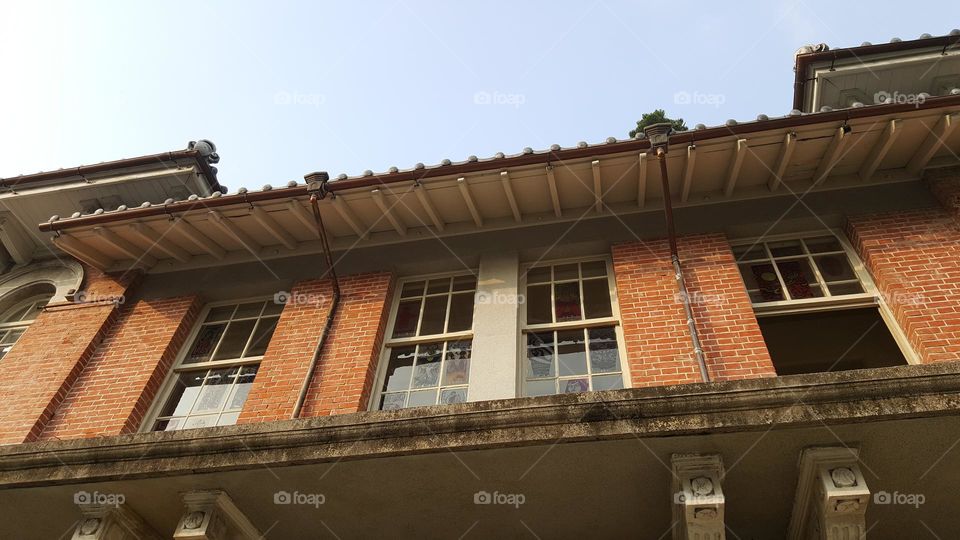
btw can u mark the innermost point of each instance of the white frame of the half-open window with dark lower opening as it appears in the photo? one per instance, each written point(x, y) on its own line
point(870, 297)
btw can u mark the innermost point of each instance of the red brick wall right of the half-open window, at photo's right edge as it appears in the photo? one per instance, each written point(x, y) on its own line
point(914, 258)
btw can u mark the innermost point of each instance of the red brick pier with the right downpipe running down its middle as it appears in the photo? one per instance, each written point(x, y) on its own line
point(659, 350)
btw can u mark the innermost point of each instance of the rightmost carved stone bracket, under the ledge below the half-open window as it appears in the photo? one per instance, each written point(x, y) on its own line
point(832, 496)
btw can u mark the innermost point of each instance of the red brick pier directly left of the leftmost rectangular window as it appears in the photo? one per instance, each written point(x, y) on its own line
point(119, 383)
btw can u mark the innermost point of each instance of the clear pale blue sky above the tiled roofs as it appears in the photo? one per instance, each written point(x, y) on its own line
point(285, 88)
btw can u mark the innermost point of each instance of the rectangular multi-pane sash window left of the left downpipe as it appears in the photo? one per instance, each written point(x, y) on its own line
point(213, 375)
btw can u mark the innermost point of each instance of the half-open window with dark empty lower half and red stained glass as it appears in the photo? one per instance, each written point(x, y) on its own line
point(817, 307)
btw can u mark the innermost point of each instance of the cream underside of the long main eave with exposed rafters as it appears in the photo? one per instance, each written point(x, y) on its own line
point(841, 149)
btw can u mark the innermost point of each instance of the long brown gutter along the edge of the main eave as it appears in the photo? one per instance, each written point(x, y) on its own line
point(553, 156)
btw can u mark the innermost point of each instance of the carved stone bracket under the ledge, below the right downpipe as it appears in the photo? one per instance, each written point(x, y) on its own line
point(698, 501)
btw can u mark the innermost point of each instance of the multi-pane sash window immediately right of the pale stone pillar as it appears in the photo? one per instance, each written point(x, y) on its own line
point(570, 330)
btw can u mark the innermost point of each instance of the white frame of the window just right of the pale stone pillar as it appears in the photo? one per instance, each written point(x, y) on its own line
point(614, 319)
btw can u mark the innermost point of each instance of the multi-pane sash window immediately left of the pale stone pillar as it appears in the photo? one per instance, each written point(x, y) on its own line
point(428, 346)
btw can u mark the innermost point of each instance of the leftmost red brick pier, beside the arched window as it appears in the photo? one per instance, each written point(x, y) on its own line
point(39, 371)
